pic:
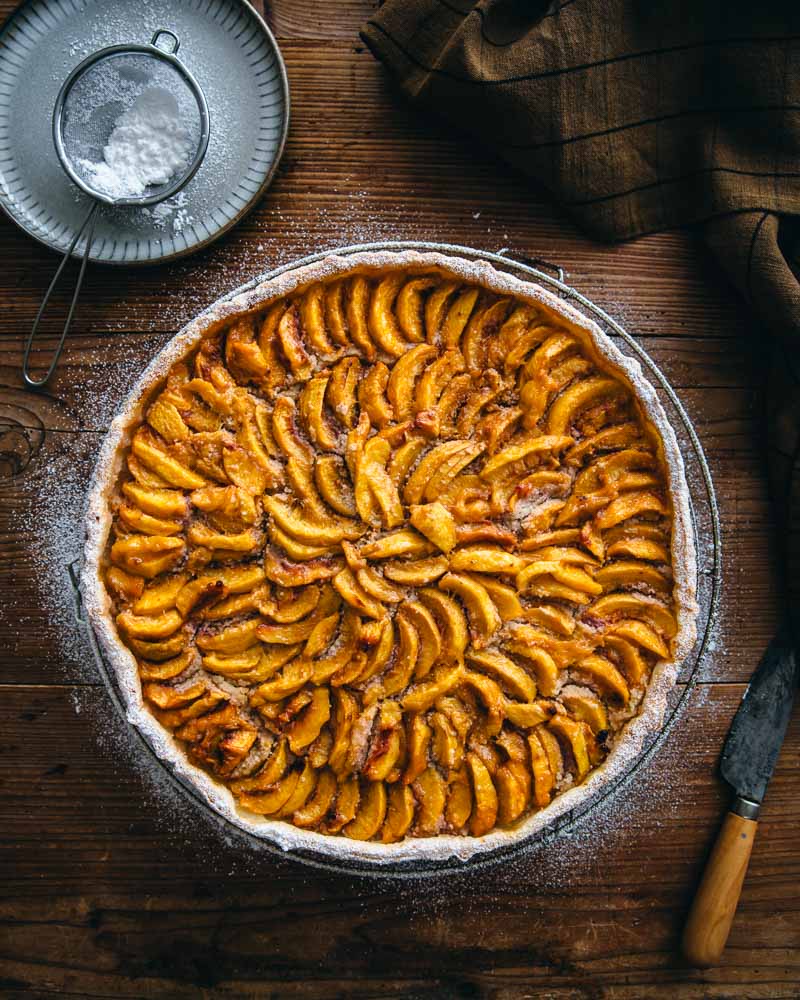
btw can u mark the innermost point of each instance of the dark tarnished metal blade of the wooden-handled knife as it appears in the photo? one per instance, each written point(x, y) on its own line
point(759, 726)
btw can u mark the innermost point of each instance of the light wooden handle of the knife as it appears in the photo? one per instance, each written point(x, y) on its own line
point(716, 900)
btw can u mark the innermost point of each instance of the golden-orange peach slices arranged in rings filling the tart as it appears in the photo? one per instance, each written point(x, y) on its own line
point(393, 557)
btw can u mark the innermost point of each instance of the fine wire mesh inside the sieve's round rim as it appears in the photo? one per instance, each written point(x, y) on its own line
point(107, 89)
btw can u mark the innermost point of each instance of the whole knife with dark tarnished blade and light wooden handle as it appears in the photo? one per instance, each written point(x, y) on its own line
point(748, 760)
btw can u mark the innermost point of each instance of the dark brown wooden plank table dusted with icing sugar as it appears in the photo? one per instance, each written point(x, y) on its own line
point(110, 886)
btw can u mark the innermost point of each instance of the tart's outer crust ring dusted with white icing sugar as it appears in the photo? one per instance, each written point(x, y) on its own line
point(629, 740)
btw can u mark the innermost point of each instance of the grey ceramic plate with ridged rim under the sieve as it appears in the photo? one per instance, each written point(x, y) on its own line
point(234, 58)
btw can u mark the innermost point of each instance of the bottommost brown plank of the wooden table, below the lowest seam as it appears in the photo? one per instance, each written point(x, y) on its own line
point(131, 893)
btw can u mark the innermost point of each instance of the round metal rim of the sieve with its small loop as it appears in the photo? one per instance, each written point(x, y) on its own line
point(170, 58)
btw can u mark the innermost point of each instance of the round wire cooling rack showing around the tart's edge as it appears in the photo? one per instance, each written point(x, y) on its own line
point(707, 535)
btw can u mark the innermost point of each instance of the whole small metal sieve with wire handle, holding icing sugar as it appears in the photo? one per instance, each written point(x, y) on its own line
point(95, 101)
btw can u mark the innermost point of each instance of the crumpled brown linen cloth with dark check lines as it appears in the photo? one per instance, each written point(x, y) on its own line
point(641, 116)
